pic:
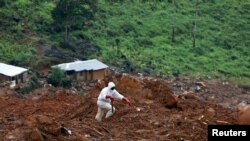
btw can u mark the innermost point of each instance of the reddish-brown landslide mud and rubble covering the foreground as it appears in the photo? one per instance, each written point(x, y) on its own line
point(179, 110)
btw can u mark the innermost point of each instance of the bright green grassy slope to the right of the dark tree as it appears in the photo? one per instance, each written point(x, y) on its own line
point(144, 33)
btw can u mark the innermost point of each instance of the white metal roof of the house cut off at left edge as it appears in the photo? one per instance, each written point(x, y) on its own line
point(9, 70)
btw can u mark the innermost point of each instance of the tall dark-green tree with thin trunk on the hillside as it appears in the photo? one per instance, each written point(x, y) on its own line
point(73, 13)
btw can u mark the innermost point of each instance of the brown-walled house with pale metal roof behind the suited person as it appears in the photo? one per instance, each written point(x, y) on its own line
point(85, 70)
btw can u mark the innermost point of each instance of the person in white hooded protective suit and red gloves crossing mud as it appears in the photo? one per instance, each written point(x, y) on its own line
point(107, 95)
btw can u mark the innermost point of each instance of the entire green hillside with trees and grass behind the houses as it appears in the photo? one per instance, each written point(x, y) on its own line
point(157, 37)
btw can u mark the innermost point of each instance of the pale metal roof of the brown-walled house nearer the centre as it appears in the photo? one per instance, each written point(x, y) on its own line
point(93, 64)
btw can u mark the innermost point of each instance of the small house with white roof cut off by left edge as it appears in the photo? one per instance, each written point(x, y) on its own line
point(12, 74)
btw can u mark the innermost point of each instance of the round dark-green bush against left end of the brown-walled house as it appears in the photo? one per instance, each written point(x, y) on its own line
point(59, 78)
